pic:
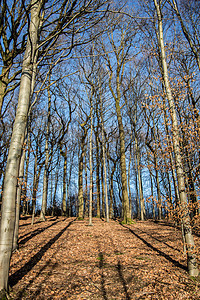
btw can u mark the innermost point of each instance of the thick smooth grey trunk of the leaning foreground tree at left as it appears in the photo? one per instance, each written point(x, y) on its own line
point(16, 144)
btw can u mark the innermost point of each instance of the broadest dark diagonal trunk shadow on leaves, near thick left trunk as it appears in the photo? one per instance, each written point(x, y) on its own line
point(18, 275)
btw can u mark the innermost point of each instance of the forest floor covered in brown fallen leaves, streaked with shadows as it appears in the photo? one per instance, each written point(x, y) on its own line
point(67, 259)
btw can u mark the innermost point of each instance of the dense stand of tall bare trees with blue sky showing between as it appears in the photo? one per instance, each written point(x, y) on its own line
point(99, 114)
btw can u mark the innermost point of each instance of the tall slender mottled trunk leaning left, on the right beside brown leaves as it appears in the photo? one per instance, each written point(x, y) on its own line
point(190, 246)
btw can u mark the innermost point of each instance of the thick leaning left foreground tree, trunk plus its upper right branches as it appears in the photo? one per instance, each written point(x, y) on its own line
point(64, 15)
